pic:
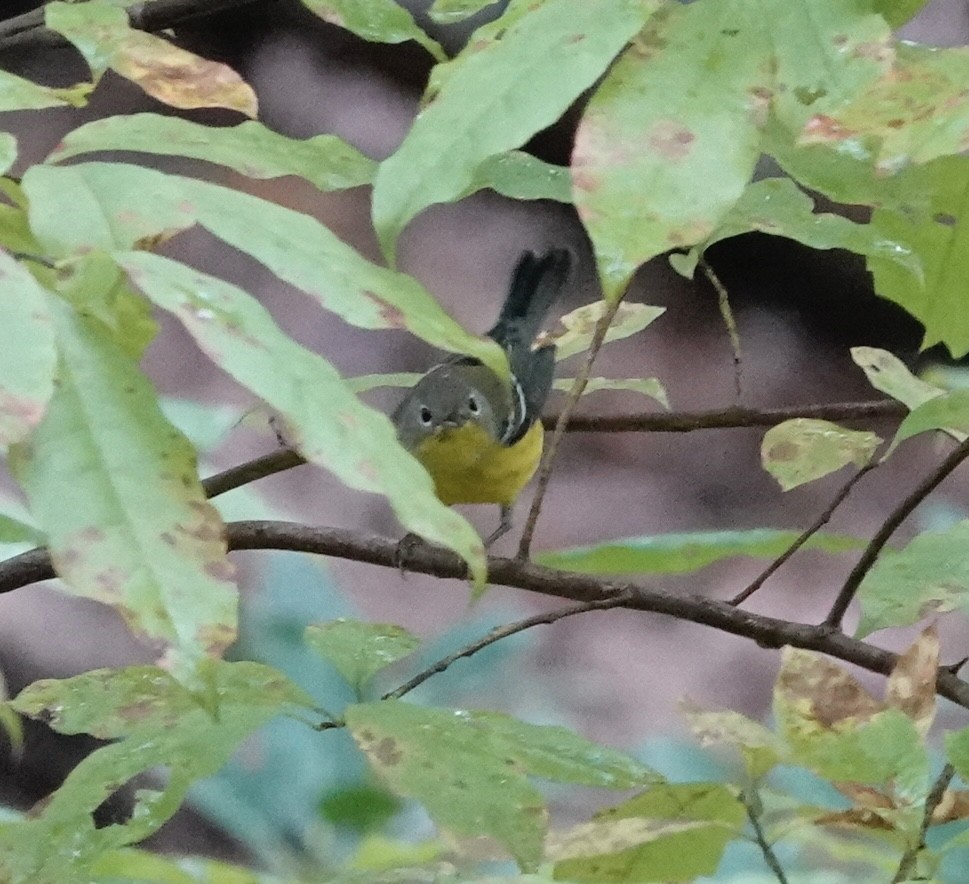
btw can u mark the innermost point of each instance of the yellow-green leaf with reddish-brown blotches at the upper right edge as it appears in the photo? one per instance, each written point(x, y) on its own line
point(913, 113)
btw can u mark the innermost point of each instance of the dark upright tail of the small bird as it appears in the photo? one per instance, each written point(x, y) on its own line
point(535, 285)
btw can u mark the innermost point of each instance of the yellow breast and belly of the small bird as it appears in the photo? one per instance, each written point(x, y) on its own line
point(468, 465)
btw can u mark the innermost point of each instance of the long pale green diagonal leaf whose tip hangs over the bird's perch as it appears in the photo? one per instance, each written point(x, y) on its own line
point(324, 421)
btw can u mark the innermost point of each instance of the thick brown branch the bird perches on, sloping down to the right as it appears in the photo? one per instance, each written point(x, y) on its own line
point(35, 565)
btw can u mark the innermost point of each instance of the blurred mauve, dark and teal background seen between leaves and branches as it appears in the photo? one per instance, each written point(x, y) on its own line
point(615, 676)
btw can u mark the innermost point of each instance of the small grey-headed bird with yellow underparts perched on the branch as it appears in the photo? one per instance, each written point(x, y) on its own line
point(480, 437)
